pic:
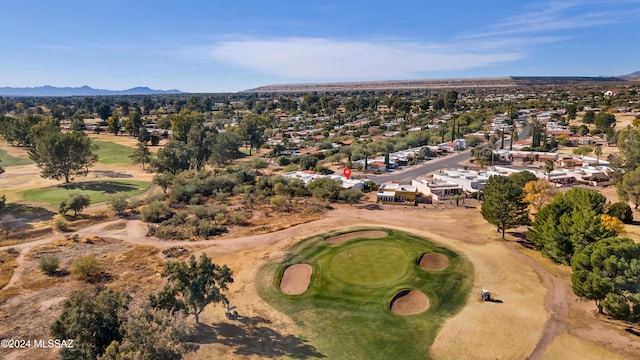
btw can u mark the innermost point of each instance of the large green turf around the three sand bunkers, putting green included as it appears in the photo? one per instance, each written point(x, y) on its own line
point(345, 313)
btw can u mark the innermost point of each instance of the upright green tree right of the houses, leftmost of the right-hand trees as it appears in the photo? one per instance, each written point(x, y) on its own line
point(503, 204)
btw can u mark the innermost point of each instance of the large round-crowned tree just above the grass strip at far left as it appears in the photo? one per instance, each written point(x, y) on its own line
point(61, 155)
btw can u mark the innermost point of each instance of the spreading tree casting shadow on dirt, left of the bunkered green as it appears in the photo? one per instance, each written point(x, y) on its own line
point(199, 282)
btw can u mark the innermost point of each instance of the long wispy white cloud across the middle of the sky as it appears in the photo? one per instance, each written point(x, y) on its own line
point(319, 58)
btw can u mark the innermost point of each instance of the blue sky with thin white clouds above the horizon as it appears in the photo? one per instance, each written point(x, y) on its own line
point(228, 46)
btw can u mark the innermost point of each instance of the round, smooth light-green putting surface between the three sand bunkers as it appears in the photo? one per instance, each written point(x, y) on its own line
point(367, 263)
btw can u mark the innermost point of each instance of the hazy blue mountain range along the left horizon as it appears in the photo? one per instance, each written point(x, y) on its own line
point(80, 91)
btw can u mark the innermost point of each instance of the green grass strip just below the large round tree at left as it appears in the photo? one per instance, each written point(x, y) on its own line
point(96, 190)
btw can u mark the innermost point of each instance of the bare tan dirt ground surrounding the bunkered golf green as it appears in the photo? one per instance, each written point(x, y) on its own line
point(537, 315)
